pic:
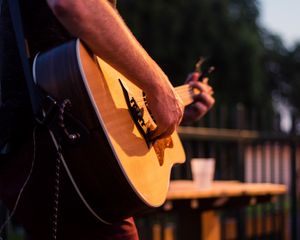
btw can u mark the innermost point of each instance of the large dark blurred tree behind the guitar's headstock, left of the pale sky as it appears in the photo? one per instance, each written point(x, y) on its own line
point(177, 32)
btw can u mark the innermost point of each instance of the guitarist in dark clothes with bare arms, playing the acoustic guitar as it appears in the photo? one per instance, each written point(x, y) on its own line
point(27, 157)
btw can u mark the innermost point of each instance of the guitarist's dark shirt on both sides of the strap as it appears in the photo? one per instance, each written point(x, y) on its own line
point(43, 31)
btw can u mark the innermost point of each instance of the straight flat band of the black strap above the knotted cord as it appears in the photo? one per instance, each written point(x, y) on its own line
point(34, 94)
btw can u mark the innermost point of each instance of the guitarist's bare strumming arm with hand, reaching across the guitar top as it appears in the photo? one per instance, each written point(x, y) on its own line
point(103, 30)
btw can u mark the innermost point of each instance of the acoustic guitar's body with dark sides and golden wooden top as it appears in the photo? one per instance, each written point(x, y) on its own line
point(118, 172)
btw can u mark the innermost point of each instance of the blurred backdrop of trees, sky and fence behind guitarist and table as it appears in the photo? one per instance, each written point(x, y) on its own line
point(253, 130)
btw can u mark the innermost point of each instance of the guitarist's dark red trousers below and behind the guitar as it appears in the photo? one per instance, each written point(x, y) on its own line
point(36, 207)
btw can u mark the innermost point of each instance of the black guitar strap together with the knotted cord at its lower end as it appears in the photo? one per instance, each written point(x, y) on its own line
point(54, 114)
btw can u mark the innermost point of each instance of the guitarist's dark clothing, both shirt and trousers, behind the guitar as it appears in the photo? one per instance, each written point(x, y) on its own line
point(35, 209)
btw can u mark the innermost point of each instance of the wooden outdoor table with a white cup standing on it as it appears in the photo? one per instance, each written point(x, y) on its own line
point(189, 201)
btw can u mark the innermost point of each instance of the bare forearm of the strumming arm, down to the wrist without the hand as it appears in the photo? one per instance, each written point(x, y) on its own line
point(103, 30)
